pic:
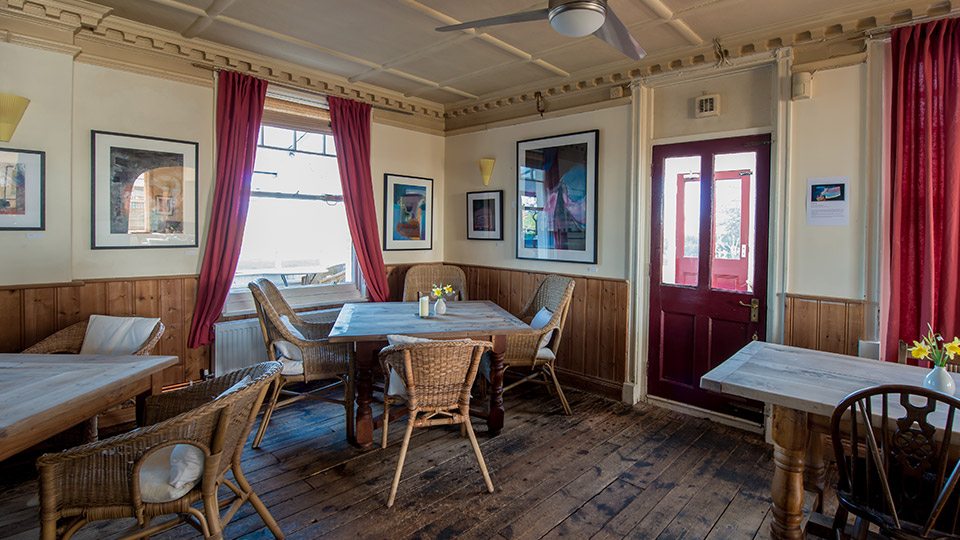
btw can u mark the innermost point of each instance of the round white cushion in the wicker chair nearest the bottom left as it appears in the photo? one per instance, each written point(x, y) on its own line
point(170, 473)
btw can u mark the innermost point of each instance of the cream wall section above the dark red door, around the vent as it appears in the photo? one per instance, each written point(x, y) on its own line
point(745, 102)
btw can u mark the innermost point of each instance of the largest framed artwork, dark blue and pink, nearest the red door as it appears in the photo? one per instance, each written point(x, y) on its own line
point(557, 198)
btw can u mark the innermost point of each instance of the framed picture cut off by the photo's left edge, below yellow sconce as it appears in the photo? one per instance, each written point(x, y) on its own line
point(21, 190)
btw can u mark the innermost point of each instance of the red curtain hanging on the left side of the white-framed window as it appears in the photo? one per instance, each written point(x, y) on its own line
point(239, 109)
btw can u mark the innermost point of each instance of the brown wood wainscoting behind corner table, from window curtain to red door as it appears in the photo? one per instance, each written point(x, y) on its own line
point(593, 351)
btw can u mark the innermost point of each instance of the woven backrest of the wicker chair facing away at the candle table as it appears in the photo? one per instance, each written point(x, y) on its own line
point(437, 374)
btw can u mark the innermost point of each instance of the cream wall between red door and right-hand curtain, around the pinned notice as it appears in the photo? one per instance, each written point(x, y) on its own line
point(828, 139)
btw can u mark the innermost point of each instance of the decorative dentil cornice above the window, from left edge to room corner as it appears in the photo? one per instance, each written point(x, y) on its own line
point(99, 26)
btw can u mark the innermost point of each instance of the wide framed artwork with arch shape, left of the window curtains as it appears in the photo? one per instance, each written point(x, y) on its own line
point(144, 192)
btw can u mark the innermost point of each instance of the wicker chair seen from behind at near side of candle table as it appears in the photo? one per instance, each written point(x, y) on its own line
point(437, 377)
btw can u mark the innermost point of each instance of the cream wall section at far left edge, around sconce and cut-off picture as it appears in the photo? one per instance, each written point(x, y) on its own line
point(46, 79)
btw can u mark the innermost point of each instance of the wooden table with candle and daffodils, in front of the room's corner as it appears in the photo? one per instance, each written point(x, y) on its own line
point(367, 325)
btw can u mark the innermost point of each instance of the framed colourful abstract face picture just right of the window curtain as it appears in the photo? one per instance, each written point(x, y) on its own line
point(408, 212)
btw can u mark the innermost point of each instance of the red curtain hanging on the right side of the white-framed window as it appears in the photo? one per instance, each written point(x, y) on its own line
point(350, 122)
